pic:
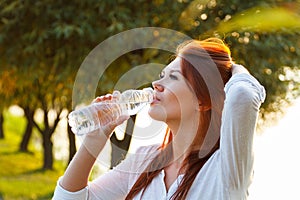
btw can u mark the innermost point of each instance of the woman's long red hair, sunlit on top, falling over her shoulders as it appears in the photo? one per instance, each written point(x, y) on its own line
point(198, 58)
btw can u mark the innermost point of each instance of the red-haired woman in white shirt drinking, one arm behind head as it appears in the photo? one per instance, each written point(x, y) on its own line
point(207, 150)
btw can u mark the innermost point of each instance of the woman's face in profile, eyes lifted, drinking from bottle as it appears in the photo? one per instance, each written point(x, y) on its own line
point(174, 100)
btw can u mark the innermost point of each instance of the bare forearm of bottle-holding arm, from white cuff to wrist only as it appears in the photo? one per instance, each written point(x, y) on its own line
point(77, 174)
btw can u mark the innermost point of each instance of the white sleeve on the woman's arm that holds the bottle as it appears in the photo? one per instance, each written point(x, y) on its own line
point(115, 183)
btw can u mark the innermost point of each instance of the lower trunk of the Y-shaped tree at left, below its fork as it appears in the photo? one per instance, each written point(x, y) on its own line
point(48, 150)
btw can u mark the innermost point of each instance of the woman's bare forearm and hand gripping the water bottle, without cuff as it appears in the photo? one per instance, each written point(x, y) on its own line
point(77, 174)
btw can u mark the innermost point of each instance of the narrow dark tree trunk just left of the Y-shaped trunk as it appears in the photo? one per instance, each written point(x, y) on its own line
point(28, 131)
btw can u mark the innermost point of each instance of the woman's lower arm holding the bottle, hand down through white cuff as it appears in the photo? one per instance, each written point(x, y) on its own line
point(72, 185)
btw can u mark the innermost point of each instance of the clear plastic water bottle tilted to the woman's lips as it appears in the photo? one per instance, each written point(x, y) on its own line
point(96, 115)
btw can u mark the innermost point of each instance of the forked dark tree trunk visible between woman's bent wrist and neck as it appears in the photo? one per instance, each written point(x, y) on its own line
point(120, 147)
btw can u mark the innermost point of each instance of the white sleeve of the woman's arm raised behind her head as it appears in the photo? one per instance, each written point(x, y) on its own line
point(244, 95)
